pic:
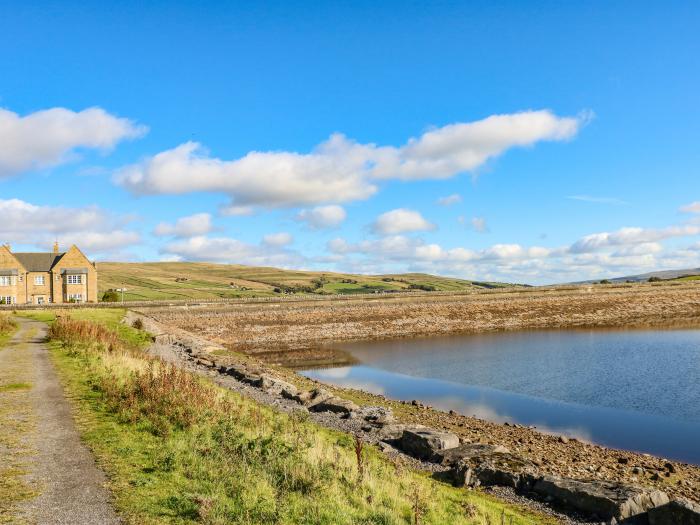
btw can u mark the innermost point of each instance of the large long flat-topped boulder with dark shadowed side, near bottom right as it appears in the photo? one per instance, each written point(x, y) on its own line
point(606, 500)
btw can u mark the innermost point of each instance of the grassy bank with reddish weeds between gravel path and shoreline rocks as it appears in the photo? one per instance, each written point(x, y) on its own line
point(178, 449)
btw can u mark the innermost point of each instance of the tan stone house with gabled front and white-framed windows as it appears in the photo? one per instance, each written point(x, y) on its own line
point(42, 278)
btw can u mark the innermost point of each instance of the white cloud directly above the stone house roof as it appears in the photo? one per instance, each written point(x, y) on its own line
point(93, 229)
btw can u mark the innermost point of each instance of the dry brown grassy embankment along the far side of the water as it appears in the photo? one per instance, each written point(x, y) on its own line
point(262, 327)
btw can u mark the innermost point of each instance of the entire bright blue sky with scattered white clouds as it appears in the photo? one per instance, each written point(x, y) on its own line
point(532, 142)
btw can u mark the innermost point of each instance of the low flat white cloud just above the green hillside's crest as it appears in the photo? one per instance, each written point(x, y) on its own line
point(232, 251)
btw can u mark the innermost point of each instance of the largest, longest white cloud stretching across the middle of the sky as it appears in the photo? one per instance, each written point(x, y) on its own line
point(339, 169)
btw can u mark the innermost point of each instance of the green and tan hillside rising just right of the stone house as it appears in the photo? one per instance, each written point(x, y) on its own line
point(170, 281)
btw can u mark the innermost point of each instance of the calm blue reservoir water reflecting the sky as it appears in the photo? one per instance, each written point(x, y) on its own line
point(637, 390)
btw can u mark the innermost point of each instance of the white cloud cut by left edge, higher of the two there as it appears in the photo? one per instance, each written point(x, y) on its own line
point(50, 137)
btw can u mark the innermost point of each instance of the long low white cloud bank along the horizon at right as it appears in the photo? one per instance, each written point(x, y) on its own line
point(623, 252)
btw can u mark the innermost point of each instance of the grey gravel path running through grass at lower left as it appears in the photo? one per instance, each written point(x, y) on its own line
point(72, 488)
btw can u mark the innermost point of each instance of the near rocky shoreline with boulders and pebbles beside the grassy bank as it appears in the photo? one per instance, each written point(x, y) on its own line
point(589, 483)
